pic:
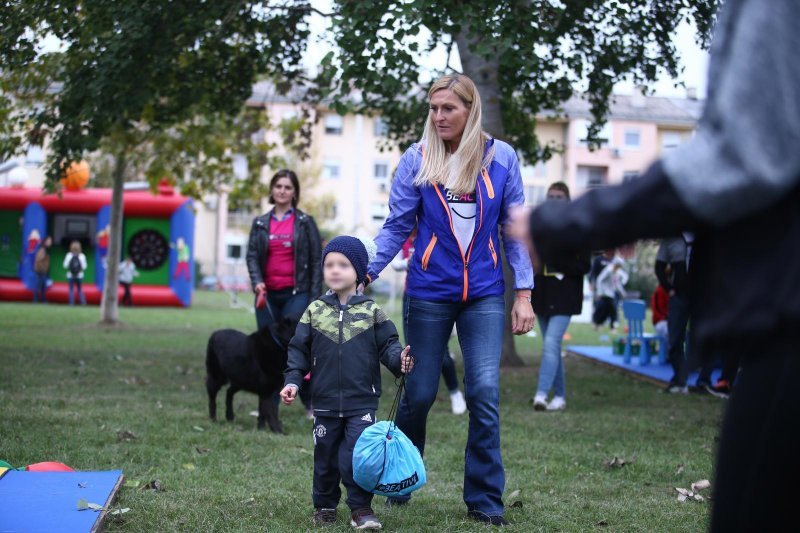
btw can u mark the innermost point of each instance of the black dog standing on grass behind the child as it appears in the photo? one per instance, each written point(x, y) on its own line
point(253, 363)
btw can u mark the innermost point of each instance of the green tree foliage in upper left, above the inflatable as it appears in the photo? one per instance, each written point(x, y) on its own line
point(140, 73)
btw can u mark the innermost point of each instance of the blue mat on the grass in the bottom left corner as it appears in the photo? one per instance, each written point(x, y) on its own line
point(33, 502)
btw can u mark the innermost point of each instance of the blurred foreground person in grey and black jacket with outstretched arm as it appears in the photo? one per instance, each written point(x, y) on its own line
point(736, 183)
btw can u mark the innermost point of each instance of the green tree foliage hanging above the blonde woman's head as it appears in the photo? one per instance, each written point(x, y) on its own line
point(536, 50)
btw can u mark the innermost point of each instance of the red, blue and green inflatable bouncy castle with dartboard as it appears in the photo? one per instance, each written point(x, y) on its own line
point(157, 233)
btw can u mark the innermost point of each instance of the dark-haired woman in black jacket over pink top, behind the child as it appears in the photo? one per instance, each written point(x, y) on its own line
point(283, 254)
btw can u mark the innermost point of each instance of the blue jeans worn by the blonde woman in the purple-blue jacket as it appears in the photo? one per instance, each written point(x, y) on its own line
point(480, 326)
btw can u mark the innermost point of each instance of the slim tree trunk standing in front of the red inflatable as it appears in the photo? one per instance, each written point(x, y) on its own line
point(109, 307)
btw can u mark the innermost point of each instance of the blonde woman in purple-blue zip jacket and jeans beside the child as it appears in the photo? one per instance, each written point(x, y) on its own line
point(459, 185)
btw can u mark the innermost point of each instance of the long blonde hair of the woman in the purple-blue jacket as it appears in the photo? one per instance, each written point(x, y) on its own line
point(459, 172)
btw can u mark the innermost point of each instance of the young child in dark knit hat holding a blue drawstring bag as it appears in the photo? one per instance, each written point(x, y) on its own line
point(341, 338)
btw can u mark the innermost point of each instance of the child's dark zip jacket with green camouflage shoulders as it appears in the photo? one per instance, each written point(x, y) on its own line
point(343, 348)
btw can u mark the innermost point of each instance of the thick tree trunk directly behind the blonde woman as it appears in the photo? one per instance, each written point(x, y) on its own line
point(484, 73)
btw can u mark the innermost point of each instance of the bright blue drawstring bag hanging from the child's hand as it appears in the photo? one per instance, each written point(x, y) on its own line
point(385, 461)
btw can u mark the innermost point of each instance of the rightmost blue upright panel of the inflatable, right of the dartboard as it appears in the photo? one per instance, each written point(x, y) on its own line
point(181, 278)
